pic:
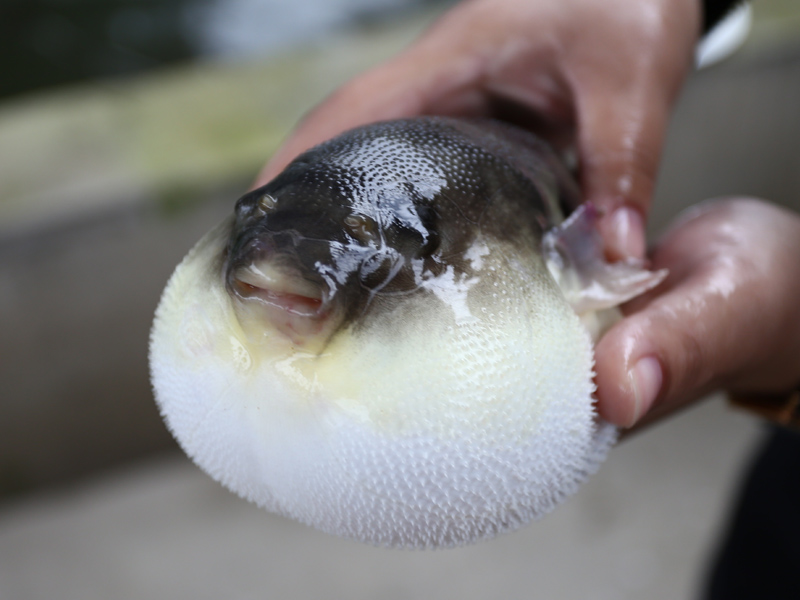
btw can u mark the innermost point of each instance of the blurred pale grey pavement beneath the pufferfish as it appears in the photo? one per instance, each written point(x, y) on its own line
point(642, 528)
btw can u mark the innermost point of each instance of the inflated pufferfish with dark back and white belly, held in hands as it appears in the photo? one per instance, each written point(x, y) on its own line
point(392, 341)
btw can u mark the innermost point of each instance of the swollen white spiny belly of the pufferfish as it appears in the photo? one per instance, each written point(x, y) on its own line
point(438, 424)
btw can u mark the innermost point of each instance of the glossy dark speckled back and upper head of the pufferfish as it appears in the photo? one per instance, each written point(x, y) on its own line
point(362, 216)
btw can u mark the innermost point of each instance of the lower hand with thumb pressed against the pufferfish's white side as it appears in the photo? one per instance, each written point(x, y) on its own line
point(728, 315)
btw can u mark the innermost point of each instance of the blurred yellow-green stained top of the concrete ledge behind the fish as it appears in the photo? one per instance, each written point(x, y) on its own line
point(166, 137)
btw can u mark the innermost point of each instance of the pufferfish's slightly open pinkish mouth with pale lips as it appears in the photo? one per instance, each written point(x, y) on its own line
point(269, 294)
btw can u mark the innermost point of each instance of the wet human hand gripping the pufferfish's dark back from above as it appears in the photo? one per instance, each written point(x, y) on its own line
point(597, 76)
